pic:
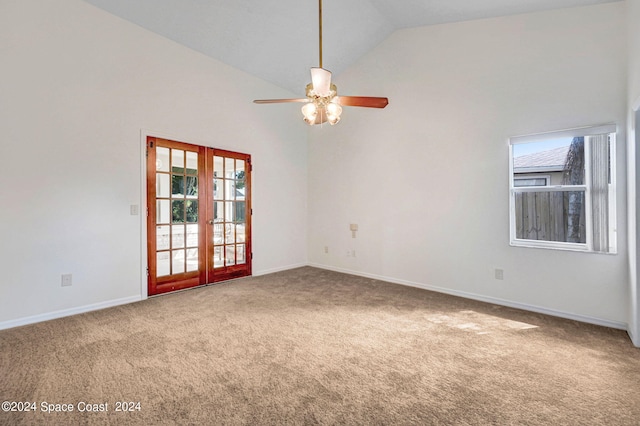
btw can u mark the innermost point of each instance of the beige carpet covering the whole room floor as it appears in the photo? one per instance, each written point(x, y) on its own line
point(310, 346)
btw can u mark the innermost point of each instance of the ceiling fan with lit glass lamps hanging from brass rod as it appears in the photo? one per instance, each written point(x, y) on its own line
point(322, 103)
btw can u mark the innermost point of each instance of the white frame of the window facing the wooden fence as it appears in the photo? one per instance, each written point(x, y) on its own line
point(559, 245)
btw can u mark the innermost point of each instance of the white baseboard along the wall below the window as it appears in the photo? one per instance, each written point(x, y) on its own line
point(487, 299)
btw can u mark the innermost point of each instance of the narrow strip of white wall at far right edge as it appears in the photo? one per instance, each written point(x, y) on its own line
point(633, 36)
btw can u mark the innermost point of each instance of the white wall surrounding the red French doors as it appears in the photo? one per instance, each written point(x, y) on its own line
point(77, 86)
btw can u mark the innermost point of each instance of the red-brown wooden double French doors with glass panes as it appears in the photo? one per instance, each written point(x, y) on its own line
point(199, 215)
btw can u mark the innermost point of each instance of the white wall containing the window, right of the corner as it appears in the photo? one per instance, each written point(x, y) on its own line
point(426, 179)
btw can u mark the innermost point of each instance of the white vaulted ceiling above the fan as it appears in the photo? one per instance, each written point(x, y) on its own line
point(277, 40)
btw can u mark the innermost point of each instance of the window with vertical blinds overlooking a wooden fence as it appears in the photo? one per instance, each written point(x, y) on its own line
point(562, 190)
